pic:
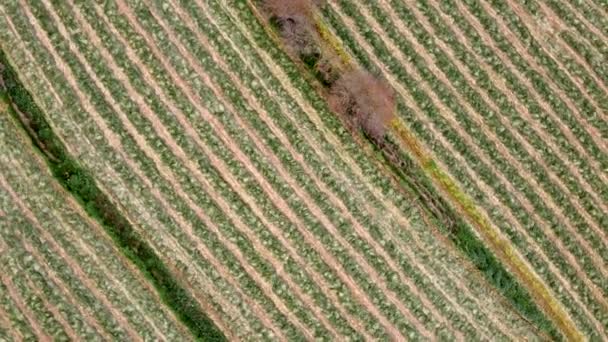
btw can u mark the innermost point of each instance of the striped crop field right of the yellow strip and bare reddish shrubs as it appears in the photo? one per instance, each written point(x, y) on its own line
point(522, 128)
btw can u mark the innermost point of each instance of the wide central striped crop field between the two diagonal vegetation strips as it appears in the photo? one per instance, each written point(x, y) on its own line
point(232, 169)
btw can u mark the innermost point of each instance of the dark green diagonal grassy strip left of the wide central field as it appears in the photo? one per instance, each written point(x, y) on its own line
point(83, 187)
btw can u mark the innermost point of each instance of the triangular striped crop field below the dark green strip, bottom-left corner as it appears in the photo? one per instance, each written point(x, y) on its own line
point(62, 278)
